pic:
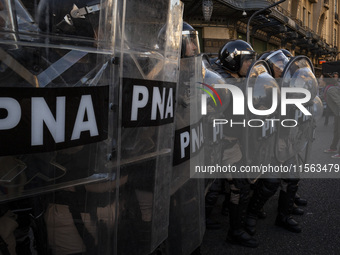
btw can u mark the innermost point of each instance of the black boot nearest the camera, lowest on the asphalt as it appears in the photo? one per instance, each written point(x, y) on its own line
point(236, 233)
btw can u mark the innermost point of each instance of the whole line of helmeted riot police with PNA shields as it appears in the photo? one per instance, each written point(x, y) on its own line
point(104, 115)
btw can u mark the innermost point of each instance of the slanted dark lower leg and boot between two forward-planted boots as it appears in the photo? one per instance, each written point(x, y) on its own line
point(264, 189)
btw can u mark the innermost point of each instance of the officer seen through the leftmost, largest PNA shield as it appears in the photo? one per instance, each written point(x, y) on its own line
point(84, 212)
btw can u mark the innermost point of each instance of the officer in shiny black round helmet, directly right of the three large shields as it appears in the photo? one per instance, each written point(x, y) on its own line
point(234, 60)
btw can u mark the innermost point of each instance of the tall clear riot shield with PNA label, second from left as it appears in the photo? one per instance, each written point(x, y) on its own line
point(148, 51)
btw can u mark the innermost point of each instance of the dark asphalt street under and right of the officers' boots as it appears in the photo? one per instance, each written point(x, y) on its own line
point(320, 222)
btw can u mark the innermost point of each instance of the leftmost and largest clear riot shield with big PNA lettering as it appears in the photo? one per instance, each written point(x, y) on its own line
point(56, 125)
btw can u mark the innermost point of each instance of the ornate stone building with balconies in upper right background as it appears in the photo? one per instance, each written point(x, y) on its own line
point(308, 27)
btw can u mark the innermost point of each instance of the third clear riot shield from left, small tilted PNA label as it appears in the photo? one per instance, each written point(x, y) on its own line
point(187, 224)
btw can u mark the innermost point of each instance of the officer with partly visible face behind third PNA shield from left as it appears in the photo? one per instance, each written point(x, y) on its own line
point(186, 223)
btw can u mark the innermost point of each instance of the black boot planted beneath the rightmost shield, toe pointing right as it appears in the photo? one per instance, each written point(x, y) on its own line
point(284, 218)
